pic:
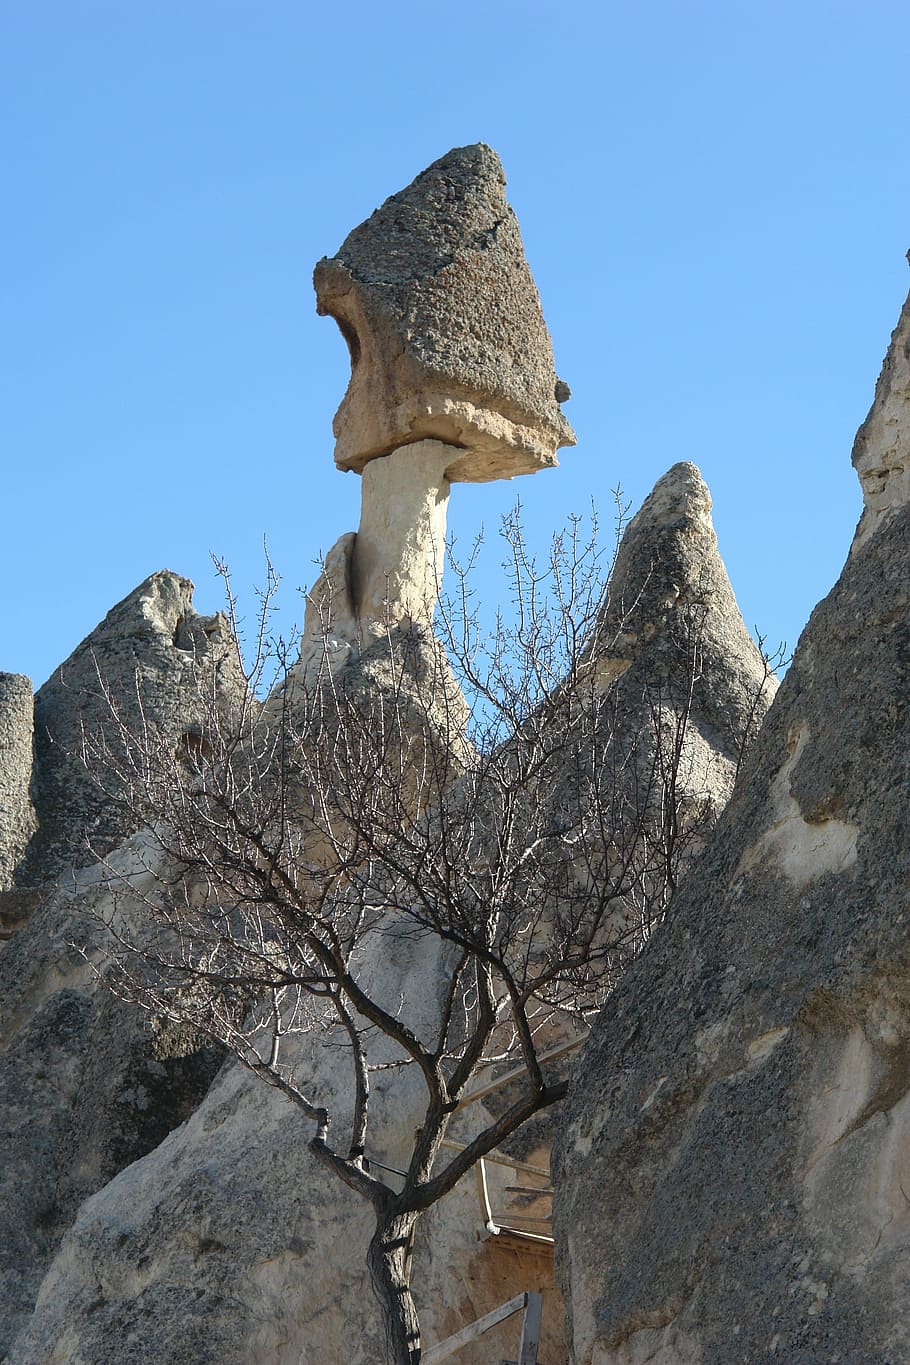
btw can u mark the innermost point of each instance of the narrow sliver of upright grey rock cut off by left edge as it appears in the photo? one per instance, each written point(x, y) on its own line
point(17, 813)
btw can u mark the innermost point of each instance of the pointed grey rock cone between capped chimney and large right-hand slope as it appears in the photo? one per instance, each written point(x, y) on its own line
point(679, 691)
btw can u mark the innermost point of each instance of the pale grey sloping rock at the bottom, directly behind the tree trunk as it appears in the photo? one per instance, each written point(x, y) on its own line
point(231, 1243)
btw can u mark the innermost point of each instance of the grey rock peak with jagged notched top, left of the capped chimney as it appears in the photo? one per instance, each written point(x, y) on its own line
point(159, 664)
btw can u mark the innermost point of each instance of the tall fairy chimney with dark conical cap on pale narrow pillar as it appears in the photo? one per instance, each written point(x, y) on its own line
point(452, 380)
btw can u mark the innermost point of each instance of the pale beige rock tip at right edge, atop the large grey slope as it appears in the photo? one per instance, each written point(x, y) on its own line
point(882, 450)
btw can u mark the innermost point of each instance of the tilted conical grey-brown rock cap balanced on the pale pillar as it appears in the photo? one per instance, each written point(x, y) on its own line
point(436, 301)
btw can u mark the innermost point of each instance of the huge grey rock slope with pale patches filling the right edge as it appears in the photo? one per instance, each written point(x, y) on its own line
point(735, 1161)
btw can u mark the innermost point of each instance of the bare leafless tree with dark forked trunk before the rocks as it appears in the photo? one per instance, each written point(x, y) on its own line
point(527, 816)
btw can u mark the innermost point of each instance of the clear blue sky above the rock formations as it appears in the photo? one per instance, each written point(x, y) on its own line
point(714, 199)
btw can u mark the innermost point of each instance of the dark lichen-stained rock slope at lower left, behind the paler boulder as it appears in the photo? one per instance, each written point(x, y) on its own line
point(87, 1086)
